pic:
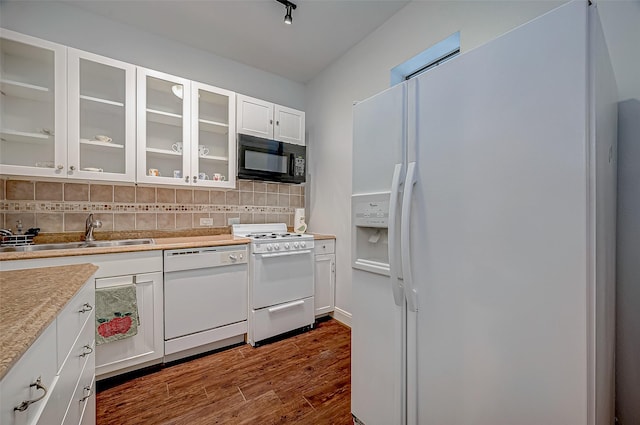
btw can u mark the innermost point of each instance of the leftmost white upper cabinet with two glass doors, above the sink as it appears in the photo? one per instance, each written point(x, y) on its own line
point(55, 101)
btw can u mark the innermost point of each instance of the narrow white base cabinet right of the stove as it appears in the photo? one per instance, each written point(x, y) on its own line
point(325, 276)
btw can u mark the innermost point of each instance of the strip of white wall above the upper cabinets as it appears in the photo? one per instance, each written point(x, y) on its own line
point(71, 26)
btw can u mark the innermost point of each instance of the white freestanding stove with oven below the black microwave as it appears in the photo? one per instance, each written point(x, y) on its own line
point(281, 280)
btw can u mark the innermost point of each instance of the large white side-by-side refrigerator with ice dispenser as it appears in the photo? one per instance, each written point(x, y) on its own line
point(483, 234)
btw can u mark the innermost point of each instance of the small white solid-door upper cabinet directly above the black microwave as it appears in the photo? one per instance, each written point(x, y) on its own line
point(270, 121)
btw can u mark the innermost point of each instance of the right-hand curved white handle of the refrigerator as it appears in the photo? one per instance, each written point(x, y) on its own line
point(405, 232)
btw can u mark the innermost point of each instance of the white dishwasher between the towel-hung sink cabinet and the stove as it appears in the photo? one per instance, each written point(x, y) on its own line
point(205, 299)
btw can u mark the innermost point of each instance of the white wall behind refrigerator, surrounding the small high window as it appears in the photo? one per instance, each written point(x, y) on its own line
point(364, 71)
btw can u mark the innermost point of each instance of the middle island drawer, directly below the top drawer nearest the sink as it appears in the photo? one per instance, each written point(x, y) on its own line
point(80, 358)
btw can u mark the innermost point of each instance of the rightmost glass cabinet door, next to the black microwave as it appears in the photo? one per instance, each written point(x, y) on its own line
point(213, 157)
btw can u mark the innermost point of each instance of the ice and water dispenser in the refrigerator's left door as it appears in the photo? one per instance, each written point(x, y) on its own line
point(369, 237)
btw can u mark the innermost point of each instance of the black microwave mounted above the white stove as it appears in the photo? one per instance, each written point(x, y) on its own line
point(270, 160)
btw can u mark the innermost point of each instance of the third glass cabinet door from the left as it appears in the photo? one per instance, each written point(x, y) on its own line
point(163, 128)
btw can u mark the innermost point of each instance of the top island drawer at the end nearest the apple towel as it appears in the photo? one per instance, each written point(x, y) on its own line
point(73, 318)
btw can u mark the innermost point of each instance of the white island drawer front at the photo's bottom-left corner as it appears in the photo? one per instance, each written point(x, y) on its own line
point(36, 362)
